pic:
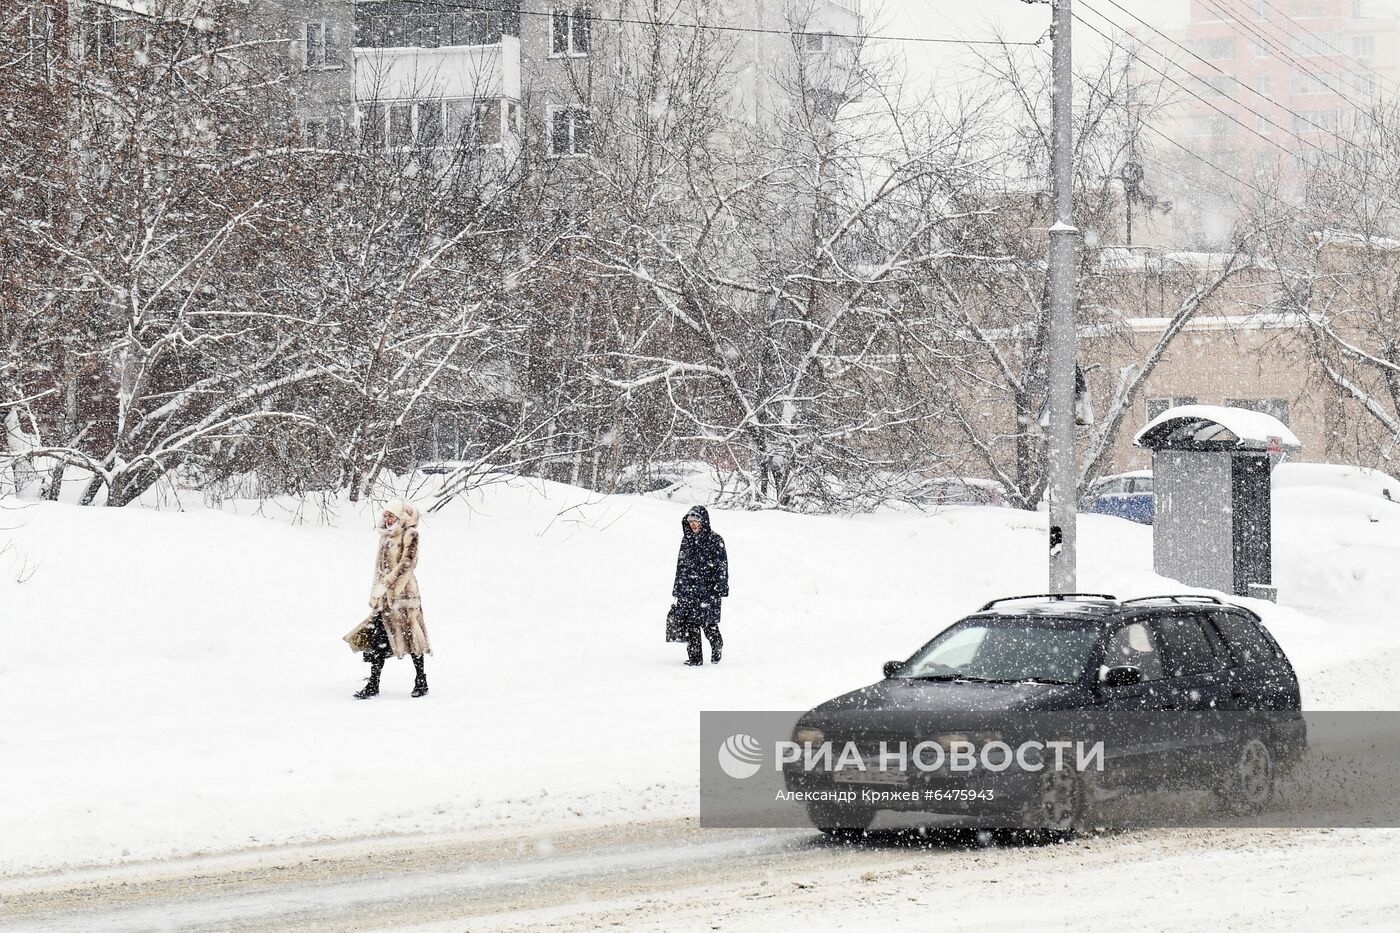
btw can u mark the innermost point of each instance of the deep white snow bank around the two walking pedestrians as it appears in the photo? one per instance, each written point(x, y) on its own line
point(176, 683)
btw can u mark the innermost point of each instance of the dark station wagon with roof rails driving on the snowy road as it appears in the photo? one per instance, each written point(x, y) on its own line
point(1192, 693)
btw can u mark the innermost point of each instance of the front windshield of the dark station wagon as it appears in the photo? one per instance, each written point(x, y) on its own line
point(1007, 649)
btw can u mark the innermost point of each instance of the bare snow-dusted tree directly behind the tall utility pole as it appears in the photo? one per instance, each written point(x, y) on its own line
point(997, 312)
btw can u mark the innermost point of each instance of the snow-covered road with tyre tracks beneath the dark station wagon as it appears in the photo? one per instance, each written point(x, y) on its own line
point(673, 878)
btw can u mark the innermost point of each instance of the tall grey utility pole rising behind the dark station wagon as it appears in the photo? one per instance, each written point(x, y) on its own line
point(1065, 296)
